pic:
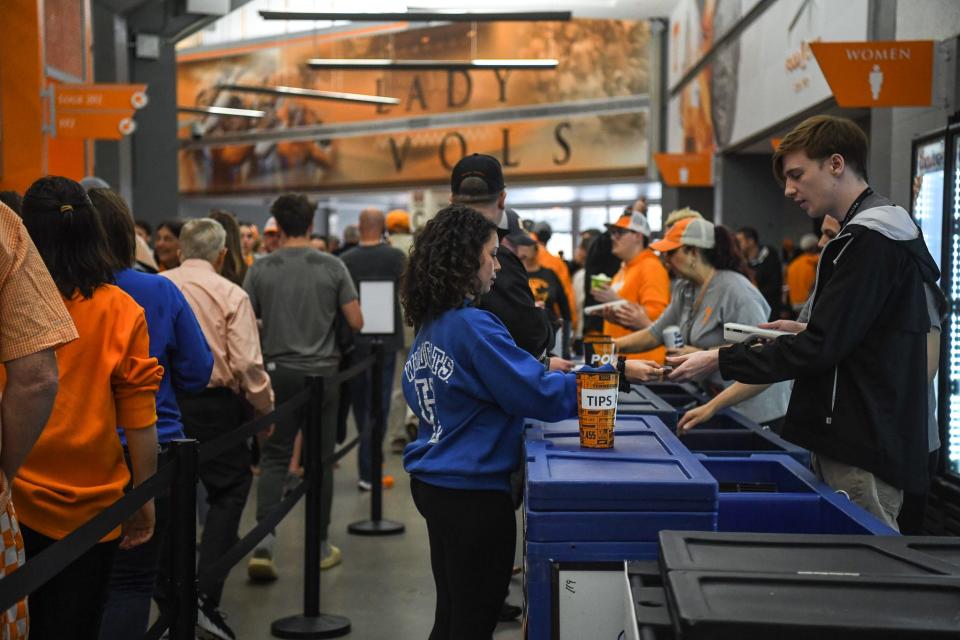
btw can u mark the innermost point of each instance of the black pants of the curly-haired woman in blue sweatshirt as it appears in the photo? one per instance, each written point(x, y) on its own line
point(472, 538)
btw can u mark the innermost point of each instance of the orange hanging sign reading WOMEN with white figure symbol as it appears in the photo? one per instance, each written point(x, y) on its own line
point(878, 73)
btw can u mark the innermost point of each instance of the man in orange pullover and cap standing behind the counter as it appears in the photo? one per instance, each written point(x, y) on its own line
point(642, 282)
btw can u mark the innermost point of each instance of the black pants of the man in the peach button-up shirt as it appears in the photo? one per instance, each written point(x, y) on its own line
point(227, 478)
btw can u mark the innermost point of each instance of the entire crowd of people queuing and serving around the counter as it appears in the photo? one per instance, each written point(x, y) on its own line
point(134, 337)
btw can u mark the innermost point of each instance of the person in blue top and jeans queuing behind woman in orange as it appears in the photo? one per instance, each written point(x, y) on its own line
point(177, 341)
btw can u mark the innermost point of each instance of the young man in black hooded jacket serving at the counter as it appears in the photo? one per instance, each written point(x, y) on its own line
point(859, 402)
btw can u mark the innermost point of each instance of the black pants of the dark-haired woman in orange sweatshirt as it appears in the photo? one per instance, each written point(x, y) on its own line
point(70, 605)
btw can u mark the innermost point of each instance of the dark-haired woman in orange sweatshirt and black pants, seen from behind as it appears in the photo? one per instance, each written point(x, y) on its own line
point(107, 379)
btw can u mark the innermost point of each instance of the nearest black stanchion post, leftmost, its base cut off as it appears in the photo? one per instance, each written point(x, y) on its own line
point(183, 532)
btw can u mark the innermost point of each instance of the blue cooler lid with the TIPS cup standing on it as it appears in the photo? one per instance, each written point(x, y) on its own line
point(647, 470)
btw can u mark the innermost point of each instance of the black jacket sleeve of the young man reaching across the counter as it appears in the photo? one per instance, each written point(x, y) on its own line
point(868, 268)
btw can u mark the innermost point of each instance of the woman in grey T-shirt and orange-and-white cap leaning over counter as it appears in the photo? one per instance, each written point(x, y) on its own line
point(716, 288)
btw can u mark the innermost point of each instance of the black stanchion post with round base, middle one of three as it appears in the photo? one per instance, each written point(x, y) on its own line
point(313, 623)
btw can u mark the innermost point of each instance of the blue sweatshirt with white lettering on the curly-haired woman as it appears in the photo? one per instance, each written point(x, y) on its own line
point(471, 387)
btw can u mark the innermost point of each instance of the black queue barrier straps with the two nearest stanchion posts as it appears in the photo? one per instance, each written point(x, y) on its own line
point(180, 477)
